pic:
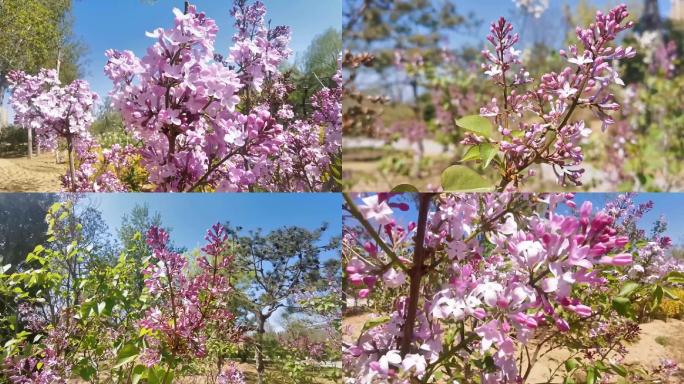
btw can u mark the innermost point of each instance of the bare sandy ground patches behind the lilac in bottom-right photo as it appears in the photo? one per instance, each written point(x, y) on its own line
point(659, 340)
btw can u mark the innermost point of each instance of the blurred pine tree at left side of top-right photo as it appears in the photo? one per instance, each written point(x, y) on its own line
point(411, 33)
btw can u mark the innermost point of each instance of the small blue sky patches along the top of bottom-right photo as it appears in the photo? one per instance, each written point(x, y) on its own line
point(671, 205)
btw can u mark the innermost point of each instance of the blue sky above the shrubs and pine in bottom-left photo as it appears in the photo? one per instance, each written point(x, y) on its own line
point(190, 215)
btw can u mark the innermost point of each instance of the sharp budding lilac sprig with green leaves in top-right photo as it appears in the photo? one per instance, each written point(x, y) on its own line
point(551, 136)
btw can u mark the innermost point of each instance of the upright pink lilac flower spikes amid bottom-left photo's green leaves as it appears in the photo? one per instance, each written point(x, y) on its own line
point(185, 306)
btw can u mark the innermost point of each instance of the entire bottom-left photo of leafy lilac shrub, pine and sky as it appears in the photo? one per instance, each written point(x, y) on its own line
point(83, 302)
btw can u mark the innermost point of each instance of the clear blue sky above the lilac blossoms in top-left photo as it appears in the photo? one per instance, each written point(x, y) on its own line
point(122, 24)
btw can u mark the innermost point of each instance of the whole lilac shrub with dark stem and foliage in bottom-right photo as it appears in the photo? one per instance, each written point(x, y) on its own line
point(484, 285)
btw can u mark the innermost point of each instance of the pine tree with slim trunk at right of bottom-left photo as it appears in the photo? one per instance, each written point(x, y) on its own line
point(281, 264)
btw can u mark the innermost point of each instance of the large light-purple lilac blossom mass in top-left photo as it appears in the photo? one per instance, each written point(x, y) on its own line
point(223, 124)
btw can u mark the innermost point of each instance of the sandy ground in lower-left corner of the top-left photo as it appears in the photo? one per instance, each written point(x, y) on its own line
point(39, 174)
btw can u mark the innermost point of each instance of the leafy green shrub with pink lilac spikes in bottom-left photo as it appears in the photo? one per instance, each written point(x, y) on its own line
point(76, 322)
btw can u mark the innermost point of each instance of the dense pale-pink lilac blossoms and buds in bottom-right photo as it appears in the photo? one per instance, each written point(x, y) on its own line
point(505, 272)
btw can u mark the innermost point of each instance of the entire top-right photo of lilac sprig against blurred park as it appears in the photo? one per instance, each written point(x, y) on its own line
point(513, 95)
